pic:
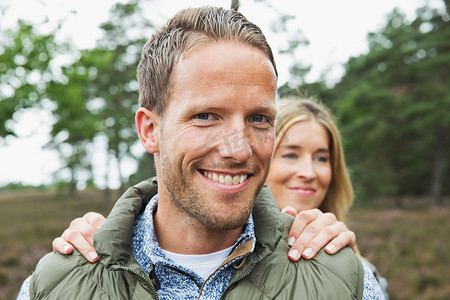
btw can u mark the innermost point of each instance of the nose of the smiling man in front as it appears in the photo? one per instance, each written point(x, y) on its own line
point(236, 145)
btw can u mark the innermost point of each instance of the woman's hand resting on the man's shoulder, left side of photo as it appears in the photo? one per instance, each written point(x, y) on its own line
point(80, 235)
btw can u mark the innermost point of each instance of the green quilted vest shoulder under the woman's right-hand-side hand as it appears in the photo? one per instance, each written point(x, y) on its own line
point(324, 275)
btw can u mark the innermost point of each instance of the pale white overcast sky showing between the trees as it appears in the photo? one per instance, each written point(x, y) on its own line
point(336, 30)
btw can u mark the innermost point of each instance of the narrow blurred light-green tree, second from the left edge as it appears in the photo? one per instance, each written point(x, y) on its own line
point(75, 125)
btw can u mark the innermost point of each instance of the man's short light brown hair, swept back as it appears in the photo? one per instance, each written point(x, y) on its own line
point(188, 28)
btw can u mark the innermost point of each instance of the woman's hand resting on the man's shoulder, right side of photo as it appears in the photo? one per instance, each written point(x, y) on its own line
point(312, 230)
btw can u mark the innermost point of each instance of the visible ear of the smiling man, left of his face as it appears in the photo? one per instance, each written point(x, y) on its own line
point(147, 124)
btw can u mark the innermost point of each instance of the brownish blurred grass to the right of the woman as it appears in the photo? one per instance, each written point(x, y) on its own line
point(410, 247)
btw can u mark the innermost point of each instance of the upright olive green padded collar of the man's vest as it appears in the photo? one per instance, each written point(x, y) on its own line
point(113, 240)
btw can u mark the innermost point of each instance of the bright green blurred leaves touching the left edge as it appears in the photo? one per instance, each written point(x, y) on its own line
point(25, 70)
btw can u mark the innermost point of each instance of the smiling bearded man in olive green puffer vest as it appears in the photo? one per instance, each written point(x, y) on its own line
point(208, 228)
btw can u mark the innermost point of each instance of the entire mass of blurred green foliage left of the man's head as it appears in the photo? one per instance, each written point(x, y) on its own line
point(92, 96)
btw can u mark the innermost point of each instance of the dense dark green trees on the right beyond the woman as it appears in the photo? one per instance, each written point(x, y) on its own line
point(393, 104)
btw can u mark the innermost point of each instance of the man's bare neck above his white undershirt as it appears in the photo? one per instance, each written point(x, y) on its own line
point(179, 233)
